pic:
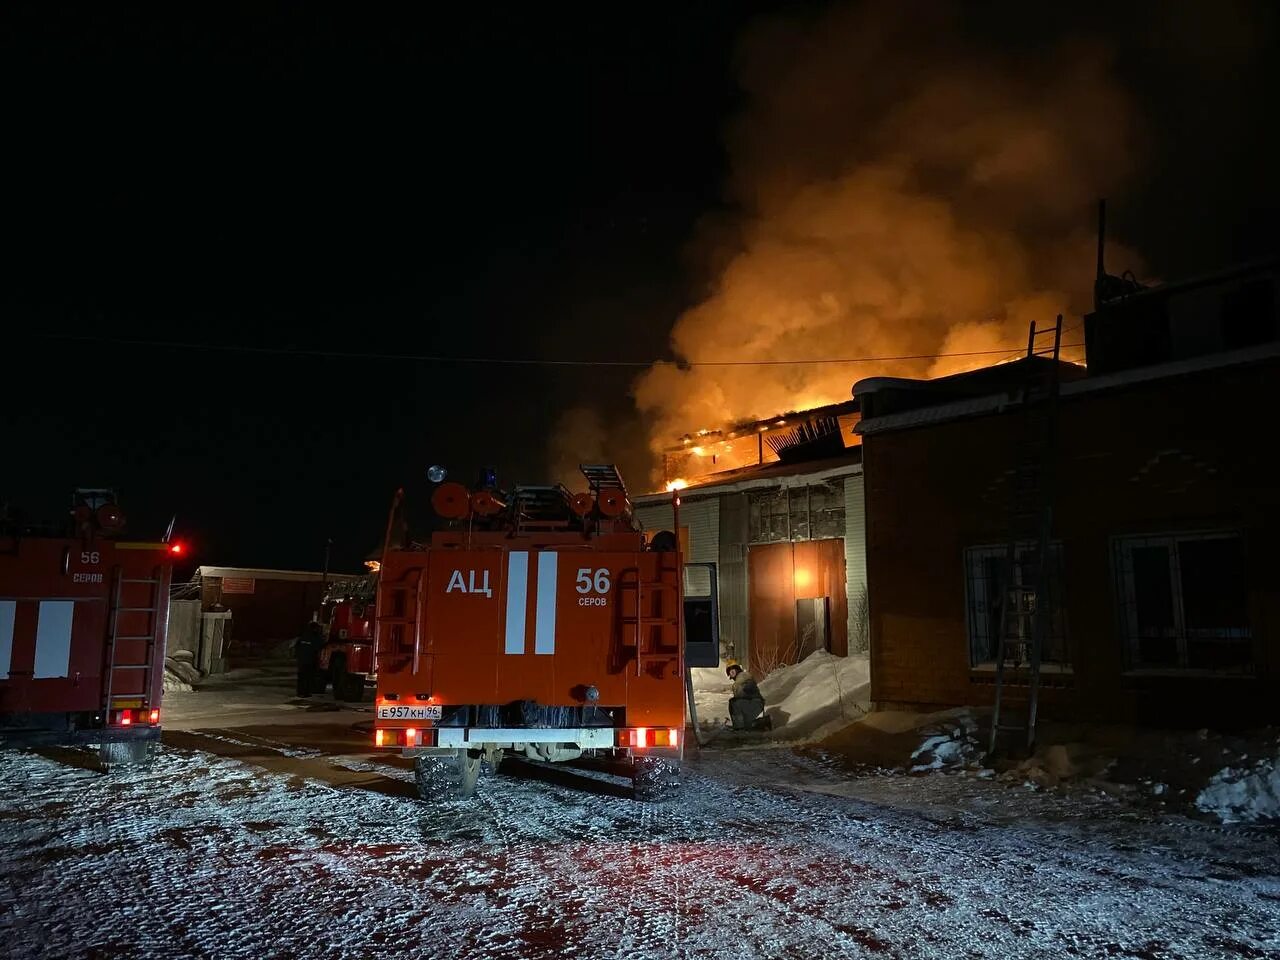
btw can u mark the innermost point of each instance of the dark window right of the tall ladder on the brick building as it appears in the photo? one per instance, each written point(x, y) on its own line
point(1183, 602)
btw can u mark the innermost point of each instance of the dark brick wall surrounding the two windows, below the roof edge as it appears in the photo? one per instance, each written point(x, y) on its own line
point(1187, 454)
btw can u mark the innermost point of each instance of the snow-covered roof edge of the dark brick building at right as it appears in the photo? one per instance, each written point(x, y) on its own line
point(996, 403)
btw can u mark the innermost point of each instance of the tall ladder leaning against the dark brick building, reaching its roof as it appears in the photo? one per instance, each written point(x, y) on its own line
point(1026, 582)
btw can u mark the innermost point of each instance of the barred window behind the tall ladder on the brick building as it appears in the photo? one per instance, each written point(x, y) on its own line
point(990, 588)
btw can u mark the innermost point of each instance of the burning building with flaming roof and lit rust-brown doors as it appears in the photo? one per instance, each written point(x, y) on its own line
point(778, 505)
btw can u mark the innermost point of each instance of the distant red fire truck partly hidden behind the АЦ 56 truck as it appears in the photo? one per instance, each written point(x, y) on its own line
point(345, 656)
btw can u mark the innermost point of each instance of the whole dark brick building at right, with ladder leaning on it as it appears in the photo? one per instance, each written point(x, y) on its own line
point(1165, 580)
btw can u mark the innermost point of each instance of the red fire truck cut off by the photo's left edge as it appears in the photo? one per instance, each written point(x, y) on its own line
point(84, 619)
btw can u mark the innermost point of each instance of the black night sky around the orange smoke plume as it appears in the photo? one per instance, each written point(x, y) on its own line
point(501, 182)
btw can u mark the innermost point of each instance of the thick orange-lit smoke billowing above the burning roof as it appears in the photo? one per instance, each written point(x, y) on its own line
point(902, 191)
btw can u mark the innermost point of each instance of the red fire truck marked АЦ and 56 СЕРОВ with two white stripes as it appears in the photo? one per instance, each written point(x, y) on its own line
point(541, 624)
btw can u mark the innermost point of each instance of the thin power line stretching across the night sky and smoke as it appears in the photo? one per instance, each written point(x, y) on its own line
point(508, 362)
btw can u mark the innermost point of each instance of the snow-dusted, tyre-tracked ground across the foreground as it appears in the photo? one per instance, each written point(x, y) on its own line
point(769, 856)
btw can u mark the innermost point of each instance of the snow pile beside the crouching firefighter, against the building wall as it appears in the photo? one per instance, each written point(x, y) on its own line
point(819, 696)
